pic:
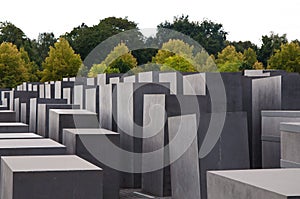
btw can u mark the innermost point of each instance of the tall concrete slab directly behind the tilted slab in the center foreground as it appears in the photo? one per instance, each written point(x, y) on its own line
point(156, 110)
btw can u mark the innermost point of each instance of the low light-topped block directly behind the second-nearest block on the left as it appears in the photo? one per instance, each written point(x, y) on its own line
point(67, 118)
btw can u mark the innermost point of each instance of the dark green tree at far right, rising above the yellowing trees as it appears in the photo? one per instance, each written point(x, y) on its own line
point(269, 45)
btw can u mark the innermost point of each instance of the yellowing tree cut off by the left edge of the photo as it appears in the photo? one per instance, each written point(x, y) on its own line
point(12, 67)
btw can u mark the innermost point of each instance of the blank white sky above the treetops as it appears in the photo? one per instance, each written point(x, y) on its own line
point(244, 20)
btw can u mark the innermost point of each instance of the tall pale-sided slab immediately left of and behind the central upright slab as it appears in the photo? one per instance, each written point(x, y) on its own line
point(130, 123)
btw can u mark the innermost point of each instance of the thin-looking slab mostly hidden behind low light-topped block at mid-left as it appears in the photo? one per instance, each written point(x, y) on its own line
point(43, 116)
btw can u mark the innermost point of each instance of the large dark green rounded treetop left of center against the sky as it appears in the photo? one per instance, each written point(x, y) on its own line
point(84, 39)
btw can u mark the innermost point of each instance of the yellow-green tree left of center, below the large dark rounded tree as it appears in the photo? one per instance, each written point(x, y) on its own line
point(119, 60)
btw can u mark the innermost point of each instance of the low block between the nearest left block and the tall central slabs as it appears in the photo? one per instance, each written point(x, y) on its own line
point(90, 144)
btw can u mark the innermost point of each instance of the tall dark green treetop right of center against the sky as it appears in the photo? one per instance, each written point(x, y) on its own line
point(211, 36)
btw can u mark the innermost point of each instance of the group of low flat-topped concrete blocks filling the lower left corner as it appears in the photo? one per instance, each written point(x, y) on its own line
point(40, 167)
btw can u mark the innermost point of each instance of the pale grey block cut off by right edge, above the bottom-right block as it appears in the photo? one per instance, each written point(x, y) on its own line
point(290, 144)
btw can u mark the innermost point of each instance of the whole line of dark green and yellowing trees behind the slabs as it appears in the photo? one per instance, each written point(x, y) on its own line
point(52, 58)
